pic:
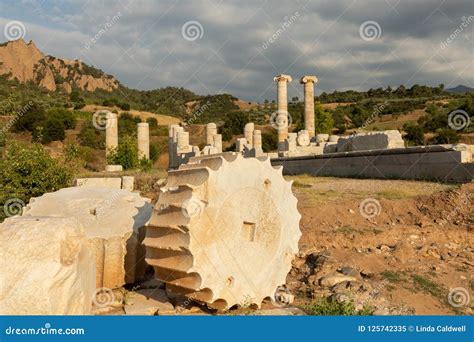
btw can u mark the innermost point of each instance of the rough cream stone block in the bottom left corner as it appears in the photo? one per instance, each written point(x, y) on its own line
point(46, 267)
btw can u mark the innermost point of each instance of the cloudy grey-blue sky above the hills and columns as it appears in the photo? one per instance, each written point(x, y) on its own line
point(238, 46)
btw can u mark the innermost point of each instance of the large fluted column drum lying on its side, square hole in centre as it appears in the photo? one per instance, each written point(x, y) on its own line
point(224, 231)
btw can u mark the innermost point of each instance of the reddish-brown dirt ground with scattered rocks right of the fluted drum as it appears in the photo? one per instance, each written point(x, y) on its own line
point(406, 243)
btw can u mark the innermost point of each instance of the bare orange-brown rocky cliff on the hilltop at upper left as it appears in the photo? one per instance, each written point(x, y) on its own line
point(25, 62)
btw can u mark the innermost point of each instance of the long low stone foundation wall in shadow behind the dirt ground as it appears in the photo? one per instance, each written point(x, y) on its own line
point(421, 163)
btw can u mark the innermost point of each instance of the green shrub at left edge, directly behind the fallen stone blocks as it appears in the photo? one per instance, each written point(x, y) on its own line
point(29, 171)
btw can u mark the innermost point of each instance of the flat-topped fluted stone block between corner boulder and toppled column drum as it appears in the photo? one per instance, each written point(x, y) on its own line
point(113, 220)
